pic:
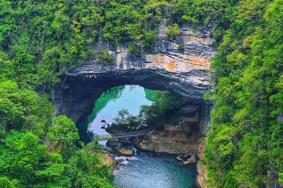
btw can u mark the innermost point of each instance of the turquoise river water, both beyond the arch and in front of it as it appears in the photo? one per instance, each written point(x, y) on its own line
point(143, 170)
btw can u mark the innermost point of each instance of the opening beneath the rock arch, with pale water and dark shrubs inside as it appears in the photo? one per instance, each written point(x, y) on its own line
point(131, 111)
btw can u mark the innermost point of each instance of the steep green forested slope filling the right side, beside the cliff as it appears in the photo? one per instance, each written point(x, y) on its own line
point(244, 145)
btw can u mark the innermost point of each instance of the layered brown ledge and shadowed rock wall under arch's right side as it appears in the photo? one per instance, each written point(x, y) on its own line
point(181, 135)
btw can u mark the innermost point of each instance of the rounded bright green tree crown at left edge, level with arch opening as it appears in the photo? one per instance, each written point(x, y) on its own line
point(23, 109)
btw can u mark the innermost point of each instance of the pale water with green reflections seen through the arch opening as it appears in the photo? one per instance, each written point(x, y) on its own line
point(121, 103)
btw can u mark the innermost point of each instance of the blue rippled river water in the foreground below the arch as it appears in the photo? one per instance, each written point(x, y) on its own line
point(154, 171)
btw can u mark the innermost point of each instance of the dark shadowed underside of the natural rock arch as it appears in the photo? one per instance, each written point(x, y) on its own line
point(83, 85)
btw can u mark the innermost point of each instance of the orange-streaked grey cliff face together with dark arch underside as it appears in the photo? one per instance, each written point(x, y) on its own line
point(164, 67)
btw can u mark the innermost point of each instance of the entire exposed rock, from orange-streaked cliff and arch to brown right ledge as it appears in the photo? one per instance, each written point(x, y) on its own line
point(180, 66)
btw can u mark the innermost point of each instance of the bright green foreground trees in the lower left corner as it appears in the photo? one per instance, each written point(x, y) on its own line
point(37, 153)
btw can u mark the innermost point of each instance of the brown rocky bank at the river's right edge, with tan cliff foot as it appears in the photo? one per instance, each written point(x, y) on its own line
point(189, 150)
